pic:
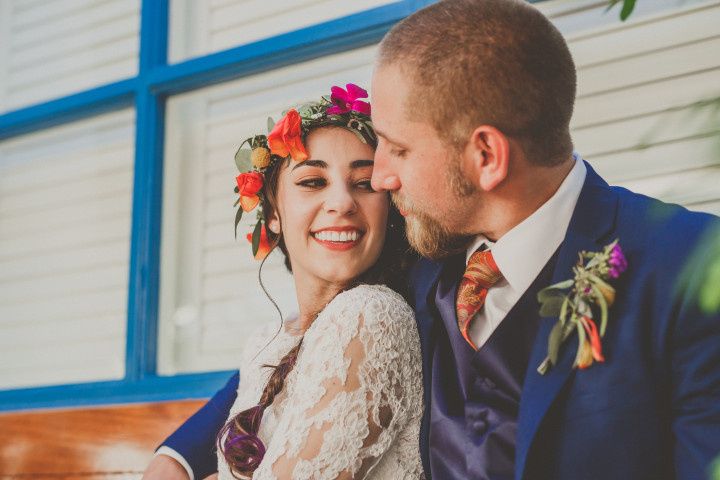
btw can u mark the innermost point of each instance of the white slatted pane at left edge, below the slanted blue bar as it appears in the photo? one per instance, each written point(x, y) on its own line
point(65, 198)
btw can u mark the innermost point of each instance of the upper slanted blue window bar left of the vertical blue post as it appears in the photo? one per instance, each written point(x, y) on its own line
point(85, 104)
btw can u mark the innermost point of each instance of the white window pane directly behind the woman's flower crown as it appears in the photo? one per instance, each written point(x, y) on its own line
point(210, 298)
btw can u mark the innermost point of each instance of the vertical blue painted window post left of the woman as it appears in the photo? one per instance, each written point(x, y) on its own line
point(144, 278)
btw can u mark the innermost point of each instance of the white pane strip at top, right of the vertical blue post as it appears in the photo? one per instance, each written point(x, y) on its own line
point(198, 28)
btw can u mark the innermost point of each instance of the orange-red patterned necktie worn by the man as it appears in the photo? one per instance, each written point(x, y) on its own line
point(480, 274)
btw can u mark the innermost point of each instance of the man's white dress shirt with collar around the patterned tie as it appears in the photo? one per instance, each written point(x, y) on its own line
point(523, 251)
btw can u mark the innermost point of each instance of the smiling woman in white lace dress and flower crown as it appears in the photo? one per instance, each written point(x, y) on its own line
point(337, 393)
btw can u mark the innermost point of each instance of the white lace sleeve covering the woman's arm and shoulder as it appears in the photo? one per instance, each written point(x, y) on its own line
point(350, 394)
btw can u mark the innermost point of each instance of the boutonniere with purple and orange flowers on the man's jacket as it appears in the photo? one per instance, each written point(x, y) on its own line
point(574, 302)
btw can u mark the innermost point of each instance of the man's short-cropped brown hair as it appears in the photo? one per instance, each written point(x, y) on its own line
point(488, 62)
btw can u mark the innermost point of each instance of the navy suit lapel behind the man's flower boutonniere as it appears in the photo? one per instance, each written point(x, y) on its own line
point(589, 229)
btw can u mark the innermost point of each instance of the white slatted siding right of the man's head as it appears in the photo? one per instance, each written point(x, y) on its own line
point(644, 115)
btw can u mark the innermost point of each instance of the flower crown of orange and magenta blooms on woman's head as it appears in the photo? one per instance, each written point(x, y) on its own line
point(286, 139)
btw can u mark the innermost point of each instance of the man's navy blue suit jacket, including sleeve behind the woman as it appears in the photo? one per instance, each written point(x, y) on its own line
point(650, 411)
